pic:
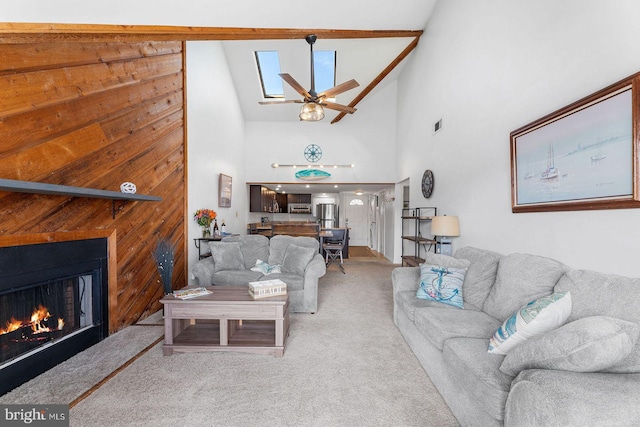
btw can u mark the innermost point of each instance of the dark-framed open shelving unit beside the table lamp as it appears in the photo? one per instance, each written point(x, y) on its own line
point(413, 220)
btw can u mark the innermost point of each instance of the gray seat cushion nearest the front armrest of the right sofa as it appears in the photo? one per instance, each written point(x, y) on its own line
point(477, 372)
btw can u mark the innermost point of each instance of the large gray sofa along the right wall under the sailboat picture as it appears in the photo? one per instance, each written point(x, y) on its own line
point(584, 372)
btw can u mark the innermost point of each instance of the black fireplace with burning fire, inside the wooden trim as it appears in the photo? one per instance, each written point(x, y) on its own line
point(52, 305)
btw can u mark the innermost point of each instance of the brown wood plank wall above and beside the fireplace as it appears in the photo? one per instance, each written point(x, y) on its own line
point(96, 114)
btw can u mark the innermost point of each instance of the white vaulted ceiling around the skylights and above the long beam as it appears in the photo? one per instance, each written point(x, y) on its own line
point(360, 59)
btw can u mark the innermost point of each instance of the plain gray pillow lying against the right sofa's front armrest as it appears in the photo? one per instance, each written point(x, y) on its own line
point(589, 344)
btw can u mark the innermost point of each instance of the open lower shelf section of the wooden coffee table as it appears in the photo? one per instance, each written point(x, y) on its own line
point(253, 336)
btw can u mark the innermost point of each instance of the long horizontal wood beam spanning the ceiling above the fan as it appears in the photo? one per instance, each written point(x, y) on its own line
point(32, 32)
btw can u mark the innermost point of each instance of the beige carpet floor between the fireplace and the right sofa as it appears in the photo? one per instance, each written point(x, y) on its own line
point(346, 365)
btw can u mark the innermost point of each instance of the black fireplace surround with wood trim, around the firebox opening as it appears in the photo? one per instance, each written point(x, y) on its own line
point(32, 258)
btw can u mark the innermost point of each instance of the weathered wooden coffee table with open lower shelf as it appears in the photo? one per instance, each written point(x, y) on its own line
point(228, 319)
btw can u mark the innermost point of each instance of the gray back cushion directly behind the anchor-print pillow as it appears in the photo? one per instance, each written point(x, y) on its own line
point(481, 274)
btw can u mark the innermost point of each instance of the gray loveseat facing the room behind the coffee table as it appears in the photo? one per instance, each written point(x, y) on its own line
point(297, 259)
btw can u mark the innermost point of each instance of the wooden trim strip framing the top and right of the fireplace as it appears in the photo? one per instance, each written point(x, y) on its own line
point(66, 236)
